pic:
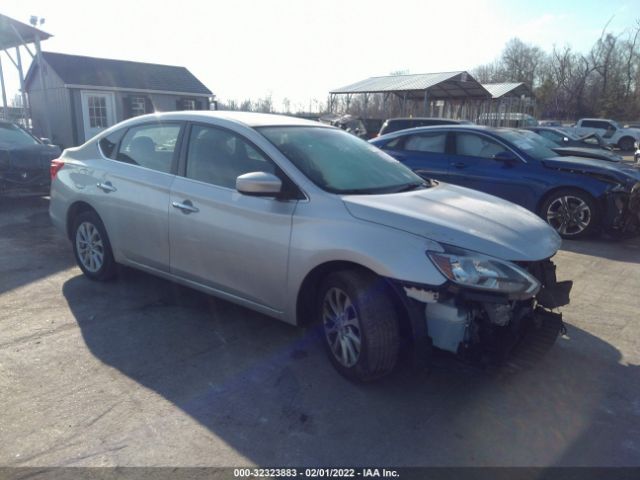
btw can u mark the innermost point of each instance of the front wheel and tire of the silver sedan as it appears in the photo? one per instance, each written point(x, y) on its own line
point(367, 314)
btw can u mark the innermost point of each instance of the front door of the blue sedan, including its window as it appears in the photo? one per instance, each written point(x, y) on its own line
point(473, 165)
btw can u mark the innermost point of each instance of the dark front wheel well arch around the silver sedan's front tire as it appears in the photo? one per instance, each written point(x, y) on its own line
point(313, 280)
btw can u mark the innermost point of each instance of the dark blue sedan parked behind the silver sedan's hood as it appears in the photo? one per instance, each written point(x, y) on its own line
point(576, 196)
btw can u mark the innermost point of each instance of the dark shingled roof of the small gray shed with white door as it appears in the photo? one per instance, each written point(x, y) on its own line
point(121, 74)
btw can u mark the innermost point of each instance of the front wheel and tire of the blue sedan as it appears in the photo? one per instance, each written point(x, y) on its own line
point(572, 213)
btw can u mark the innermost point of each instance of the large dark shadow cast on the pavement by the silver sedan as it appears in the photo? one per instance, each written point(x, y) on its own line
point(266, 389)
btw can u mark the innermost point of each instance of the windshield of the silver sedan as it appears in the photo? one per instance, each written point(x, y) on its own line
point(341, 163)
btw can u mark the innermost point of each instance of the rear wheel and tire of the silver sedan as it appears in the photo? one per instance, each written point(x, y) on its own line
point(91, 247)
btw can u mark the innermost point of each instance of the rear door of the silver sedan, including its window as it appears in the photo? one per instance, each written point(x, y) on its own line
point(135, 188)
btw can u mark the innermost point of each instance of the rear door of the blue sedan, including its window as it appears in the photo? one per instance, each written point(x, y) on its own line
point(423, 152)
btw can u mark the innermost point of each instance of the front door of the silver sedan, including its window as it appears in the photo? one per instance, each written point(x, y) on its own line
point(233, 243)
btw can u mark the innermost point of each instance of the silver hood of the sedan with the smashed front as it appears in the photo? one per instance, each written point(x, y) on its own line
point(465, 218)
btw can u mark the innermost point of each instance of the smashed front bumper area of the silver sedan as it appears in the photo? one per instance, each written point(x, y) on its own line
point(487, 327)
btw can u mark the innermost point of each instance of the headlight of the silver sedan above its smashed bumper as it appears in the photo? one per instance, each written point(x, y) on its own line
point(481, 272)
